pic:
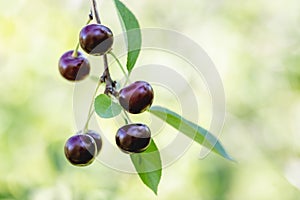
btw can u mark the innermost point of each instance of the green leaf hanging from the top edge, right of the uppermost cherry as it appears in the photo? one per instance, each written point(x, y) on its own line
point(131, 25)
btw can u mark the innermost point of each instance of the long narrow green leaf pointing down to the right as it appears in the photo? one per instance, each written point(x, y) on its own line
point(195, 132)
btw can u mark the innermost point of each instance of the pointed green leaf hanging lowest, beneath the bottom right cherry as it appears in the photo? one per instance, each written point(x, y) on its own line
point(148, 165)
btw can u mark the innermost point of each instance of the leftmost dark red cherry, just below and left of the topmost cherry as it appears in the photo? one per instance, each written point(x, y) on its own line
point(74, 68)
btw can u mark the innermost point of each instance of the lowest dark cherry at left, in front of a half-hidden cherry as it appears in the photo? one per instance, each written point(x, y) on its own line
point(80, 150)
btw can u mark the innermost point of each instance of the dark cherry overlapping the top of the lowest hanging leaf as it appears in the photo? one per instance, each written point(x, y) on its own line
point(133, 138)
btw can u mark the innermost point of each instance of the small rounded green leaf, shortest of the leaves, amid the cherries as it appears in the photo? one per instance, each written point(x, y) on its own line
point(105, 107)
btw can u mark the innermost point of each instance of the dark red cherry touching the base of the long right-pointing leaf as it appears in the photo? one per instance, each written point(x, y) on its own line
point(136, 97)
